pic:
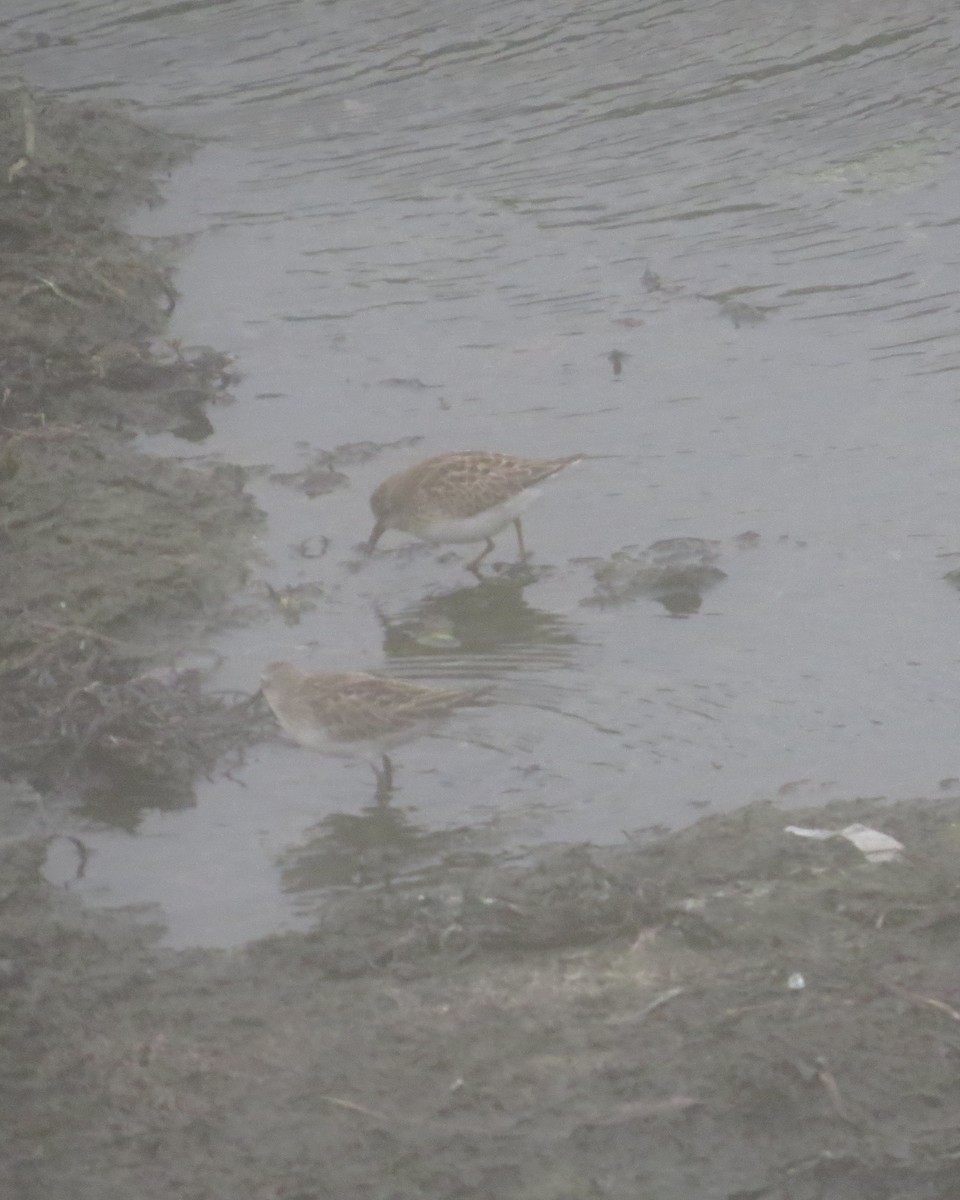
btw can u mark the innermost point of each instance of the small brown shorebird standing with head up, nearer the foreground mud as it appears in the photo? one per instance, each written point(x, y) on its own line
point(351, 715)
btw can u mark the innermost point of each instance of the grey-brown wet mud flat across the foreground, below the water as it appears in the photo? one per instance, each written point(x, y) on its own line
point(729, 1012)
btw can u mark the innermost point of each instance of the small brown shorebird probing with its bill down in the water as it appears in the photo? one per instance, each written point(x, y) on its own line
point(461, 497)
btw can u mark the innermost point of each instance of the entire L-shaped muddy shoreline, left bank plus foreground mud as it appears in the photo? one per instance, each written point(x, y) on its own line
point(730, 1012)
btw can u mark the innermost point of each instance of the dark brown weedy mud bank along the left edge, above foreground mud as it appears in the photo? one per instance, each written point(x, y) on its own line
point(112, 560)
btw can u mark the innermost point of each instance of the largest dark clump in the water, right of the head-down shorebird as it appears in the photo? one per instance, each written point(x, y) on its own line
point(675, 572)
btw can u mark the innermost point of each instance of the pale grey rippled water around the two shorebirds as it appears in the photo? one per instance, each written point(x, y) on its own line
point(437, 221)
